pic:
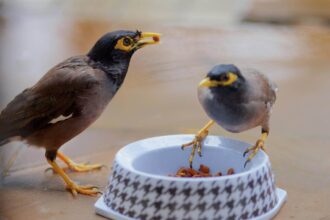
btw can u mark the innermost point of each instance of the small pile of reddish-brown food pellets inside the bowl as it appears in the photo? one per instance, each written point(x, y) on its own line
point(204, 171)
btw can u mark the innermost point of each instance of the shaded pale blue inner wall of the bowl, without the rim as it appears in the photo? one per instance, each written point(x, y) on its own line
point(168, 160)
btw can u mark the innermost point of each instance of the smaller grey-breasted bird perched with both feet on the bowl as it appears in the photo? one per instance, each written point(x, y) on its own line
point(237, 100)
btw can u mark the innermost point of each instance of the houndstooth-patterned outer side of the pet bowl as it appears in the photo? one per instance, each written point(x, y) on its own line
point(143, 198)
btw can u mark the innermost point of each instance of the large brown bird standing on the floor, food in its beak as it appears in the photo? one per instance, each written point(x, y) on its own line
point(69, 98)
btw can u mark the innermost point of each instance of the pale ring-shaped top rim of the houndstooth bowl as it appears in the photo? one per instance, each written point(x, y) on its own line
point(261, 154)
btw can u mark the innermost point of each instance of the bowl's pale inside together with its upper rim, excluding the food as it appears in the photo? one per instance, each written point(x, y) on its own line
point(162, 156)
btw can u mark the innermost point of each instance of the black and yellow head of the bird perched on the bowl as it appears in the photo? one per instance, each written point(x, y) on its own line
point(223, 76)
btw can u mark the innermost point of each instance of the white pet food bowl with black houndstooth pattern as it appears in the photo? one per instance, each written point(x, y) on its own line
point(140, 188)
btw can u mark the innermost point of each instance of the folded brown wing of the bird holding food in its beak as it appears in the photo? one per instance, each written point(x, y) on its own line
point(54, 95)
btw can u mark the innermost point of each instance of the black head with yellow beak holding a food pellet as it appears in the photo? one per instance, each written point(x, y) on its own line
point(120, 45)
